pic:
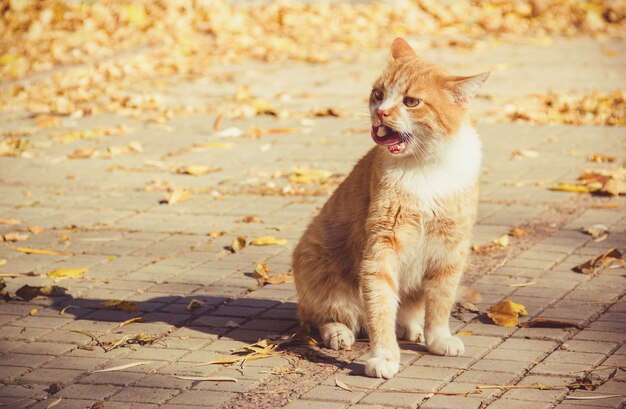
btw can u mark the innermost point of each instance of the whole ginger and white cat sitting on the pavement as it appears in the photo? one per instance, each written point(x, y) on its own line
point(387, 251)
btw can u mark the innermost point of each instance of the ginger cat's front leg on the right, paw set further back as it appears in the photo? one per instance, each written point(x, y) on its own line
point(439, 296)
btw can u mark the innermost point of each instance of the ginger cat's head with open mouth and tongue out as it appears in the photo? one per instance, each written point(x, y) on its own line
point(416, 105)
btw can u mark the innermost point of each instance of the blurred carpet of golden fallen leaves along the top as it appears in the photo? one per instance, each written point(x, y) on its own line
point(122, 47)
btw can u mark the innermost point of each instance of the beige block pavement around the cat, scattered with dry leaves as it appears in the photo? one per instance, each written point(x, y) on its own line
point(106, 214)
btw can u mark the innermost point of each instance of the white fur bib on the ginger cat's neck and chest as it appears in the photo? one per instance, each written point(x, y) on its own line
point(456, 168)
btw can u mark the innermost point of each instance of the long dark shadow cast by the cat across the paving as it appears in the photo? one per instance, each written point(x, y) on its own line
point(201, 314)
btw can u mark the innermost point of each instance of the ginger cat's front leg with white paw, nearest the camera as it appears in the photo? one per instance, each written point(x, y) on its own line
point(380, 292)
